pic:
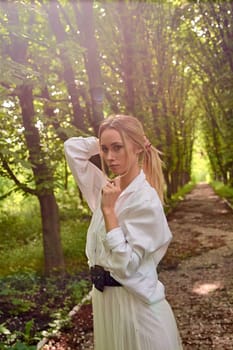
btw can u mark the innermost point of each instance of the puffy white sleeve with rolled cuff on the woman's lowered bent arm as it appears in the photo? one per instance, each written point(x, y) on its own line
point(143, 233)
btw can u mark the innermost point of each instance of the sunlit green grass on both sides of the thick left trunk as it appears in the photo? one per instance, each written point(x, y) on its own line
point(21, 247)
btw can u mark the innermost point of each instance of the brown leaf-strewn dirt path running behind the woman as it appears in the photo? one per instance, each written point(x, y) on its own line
point(197, 272)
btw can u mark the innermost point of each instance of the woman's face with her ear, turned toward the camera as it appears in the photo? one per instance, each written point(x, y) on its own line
point(120, 158)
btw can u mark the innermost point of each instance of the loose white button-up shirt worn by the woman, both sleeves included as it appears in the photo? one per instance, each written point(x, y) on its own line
point(132, 251)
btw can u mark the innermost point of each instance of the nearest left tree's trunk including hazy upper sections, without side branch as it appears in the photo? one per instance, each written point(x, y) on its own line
point(42, 173)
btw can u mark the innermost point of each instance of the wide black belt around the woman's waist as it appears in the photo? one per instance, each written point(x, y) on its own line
point(101, 278)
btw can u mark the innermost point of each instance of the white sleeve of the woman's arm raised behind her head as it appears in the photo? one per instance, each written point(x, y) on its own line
point(90, 179)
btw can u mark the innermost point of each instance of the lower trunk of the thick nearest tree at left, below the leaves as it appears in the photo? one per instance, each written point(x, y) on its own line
point(54, 260)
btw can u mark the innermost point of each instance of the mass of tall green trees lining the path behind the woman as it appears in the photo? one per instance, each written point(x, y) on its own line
point(66, 64)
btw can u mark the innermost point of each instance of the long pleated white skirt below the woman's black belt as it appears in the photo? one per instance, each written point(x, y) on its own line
point(124, 322)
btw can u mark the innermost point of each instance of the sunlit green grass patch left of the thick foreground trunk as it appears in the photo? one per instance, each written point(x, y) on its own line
point(21, 240)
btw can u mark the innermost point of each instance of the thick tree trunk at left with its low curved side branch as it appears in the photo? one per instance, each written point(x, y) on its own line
point(18, 48)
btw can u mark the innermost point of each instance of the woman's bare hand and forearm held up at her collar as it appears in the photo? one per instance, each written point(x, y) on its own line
point(110, 193)
